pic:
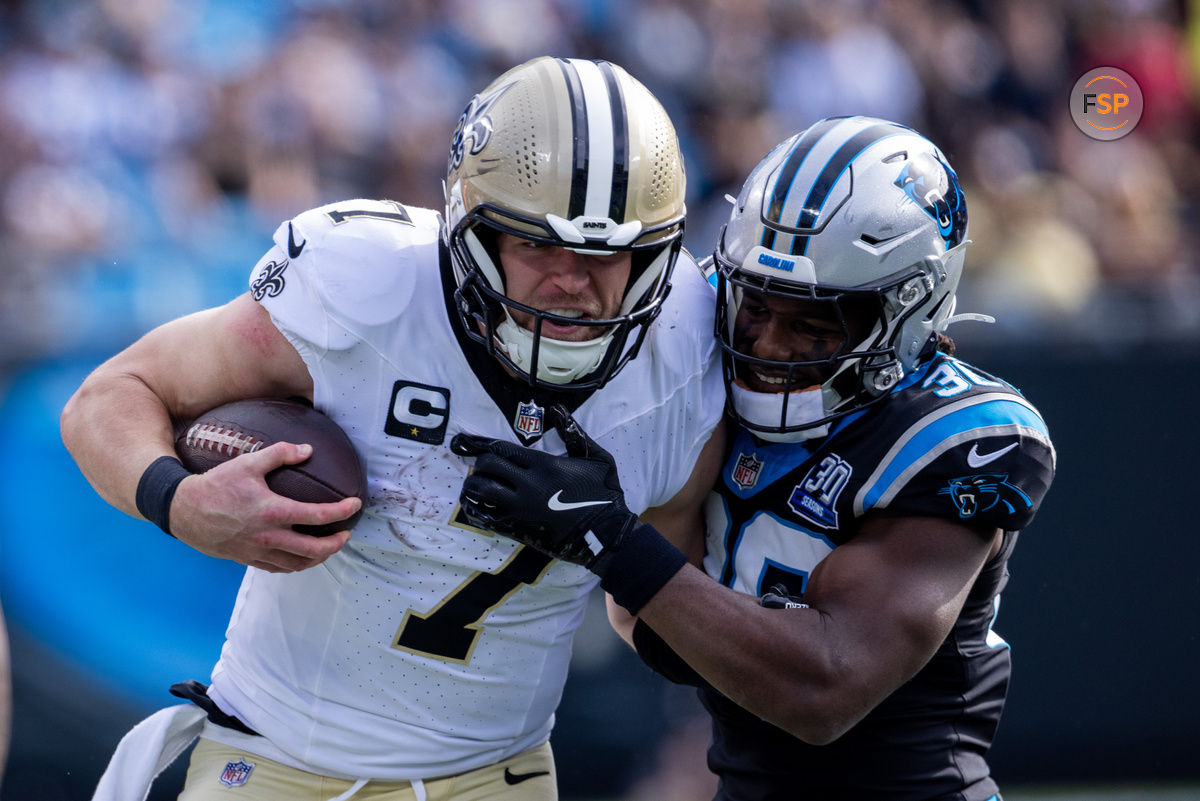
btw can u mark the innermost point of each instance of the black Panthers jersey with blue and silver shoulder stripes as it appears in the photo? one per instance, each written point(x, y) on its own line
point(949, 442)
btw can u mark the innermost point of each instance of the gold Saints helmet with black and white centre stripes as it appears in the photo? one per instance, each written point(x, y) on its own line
point(579, 155)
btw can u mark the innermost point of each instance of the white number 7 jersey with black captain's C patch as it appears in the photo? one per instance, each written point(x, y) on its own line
point(427, 648)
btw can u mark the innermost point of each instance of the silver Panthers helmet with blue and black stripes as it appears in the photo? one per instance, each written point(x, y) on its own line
point(866, 219)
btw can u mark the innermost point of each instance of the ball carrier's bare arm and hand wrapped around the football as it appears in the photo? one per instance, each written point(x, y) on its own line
point(121, 420)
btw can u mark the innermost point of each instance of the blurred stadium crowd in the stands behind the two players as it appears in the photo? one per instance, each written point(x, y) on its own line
point(149, 148)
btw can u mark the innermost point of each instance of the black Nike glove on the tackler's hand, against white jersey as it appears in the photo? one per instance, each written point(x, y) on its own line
point(571, 508)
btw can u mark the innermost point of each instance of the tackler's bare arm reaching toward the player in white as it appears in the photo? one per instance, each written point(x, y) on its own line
point(879, 609)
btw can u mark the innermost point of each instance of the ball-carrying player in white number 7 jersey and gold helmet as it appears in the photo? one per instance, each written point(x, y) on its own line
point(422, 658)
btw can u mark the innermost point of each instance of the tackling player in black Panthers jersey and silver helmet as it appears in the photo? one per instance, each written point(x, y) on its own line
point(839, 619)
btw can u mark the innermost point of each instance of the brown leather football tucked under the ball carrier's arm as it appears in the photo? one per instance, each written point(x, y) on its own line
point(334, 471)
